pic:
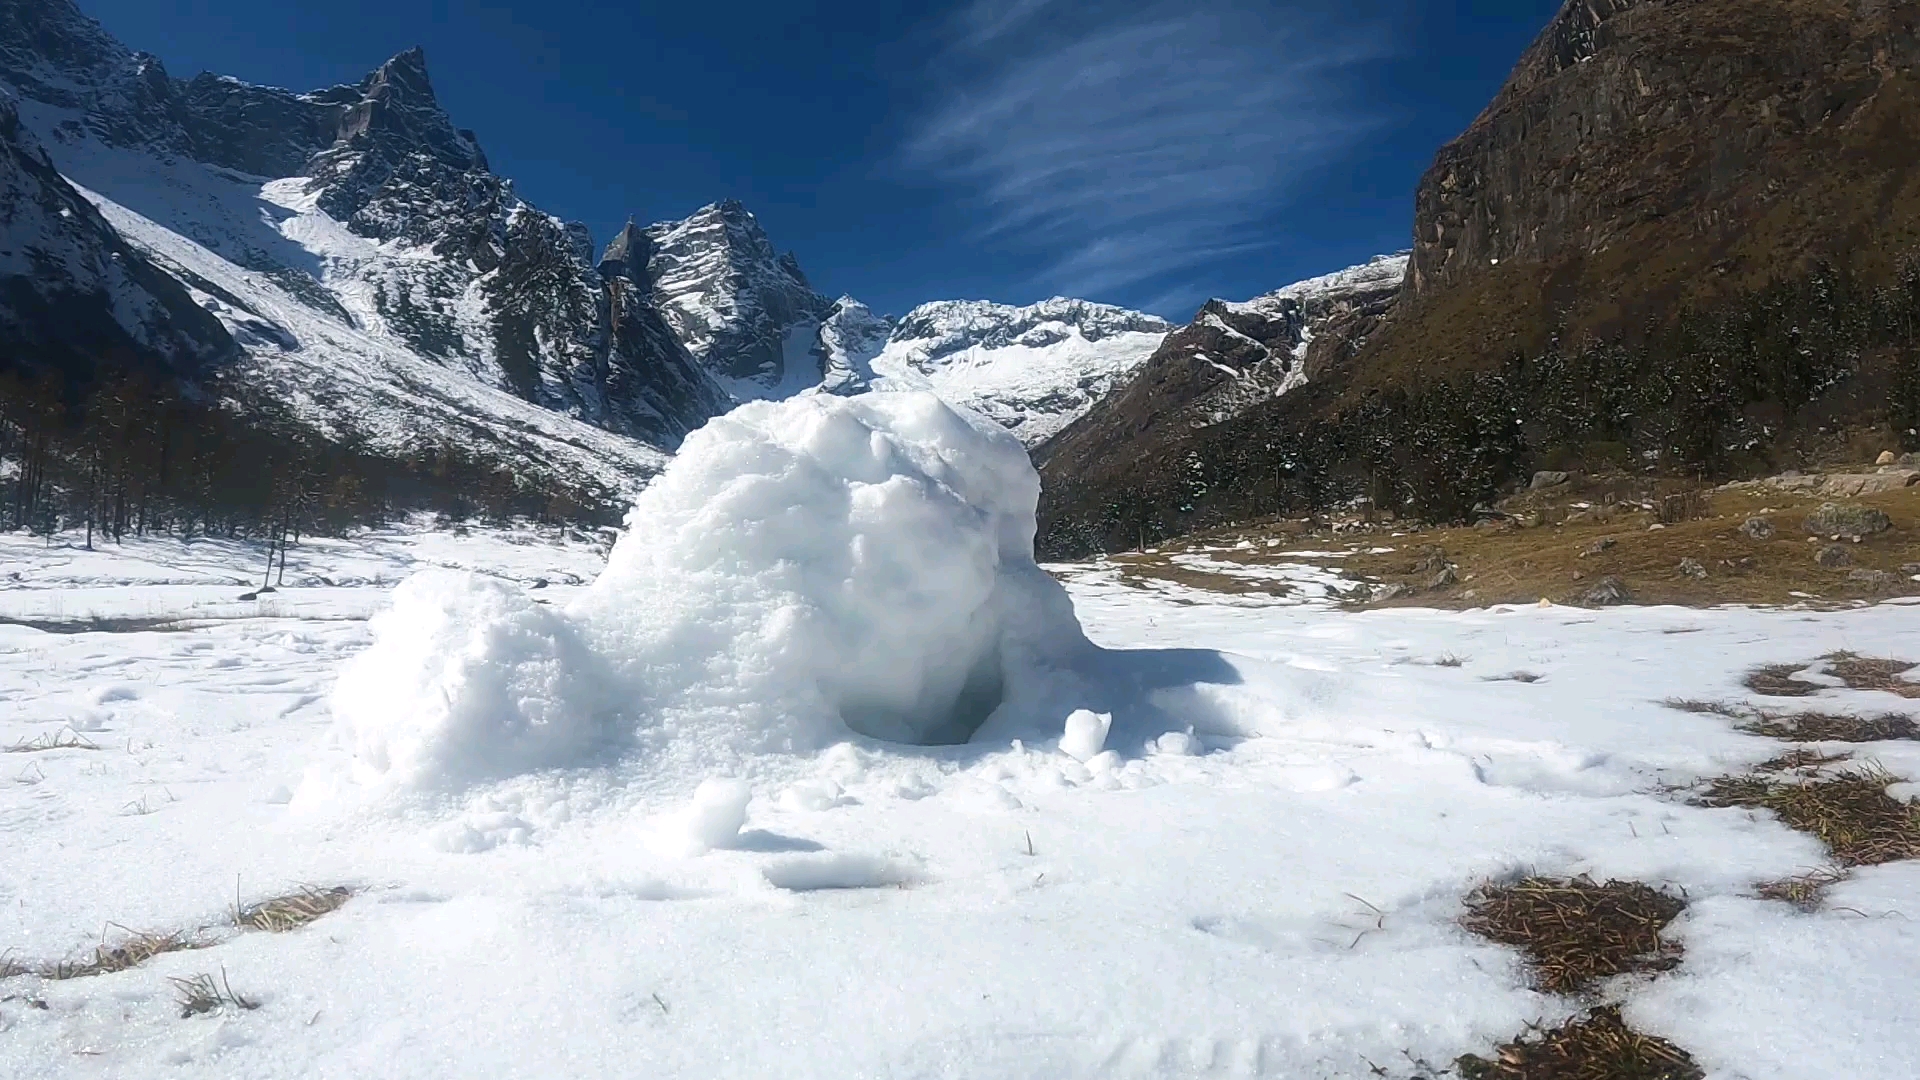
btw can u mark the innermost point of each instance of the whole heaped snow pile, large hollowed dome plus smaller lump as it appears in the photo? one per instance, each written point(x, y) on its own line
point(802, 574)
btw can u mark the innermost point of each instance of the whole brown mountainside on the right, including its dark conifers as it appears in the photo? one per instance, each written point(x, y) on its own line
point(1675, 239)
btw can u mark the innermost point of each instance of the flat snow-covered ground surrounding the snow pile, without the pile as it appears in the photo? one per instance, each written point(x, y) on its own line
point(1197, 898)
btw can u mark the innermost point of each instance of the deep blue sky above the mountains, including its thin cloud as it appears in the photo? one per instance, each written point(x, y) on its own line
point(1140, 153)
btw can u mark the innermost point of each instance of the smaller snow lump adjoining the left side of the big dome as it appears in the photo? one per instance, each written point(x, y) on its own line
point(468, 681)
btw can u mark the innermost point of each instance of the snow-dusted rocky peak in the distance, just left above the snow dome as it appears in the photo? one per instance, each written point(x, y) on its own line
point(742, 308)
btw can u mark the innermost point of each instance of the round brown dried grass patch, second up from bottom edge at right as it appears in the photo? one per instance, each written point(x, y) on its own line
point(1577, 933)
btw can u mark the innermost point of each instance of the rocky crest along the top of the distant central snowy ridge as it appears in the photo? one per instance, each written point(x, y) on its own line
point(955, 326)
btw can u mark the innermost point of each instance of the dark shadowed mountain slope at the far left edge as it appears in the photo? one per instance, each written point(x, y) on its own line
point(74, 293)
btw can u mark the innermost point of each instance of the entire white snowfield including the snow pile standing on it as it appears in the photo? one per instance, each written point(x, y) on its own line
point(635, 827)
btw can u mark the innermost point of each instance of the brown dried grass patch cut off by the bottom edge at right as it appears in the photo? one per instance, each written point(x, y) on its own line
point(1598, 1046)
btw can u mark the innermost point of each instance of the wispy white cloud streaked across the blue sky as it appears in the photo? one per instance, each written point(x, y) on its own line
point(1130, 141)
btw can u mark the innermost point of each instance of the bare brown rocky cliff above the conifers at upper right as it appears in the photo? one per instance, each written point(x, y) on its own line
point(1658, 153)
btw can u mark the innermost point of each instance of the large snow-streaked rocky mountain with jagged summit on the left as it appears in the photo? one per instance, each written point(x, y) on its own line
point(366, 257)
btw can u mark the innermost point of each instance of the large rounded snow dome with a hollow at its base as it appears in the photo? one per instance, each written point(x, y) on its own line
point(819, 566)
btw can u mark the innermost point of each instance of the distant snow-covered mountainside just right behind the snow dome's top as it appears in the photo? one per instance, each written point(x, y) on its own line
point(1032, 370)
